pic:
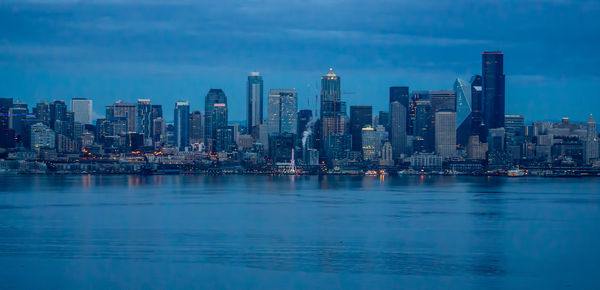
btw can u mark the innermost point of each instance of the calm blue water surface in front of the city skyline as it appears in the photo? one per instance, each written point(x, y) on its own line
point(329, 232)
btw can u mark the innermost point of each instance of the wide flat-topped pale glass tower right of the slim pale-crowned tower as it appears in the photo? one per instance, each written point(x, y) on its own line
point(282, 110)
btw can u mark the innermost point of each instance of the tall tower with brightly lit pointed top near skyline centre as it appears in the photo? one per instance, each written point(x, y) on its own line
point(332, 109)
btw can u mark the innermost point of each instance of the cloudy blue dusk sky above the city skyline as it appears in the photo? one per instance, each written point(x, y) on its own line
point(170, 50)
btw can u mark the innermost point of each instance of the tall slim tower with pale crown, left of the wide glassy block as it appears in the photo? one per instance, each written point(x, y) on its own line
point(254, 101)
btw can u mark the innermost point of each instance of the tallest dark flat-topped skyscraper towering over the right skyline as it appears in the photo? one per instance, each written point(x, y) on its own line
point(493, 89)
